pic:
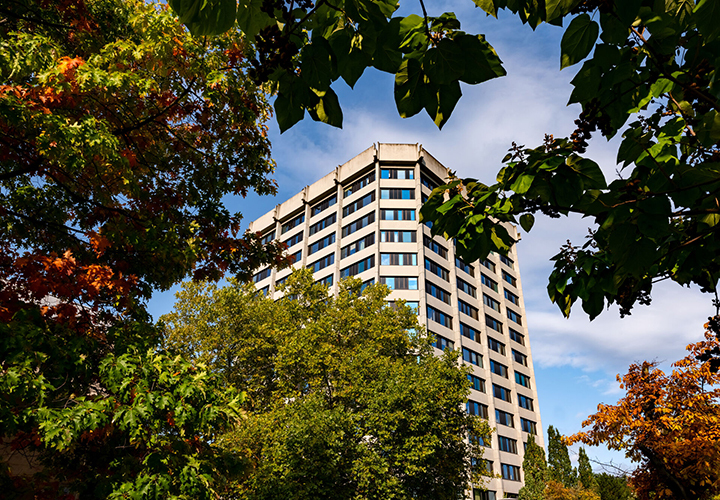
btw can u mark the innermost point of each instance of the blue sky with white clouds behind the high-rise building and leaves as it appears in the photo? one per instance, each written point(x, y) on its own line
point(576, 360)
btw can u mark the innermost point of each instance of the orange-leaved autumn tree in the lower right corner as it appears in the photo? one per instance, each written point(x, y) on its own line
point(669, 423)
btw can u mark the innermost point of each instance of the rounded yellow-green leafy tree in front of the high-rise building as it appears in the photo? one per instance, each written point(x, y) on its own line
point(345, 398)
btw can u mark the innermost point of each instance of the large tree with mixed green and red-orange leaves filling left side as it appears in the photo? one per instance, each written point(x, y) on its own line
point(120, 134)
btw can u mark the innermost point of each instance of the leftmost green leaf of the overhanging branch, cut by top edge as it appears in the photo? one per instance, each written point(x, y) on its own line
point(205, 17)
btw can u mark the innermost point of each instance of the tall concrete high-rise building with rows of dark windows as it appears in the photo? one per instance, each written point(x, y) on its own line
point(362, 220)
